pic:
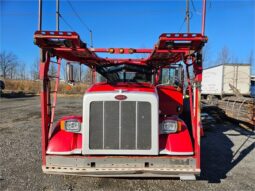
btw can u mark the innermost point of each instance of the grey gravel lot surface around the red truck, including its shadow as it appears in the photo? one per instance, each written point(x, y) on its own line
point(228, 155)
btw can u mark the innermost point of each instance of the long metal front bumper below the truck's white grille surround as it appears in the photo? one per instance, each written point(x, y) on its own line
point(122, 166)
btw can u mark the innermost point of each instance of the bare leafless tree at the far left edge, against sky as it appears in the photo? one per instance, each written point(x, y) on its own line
point(8, 64)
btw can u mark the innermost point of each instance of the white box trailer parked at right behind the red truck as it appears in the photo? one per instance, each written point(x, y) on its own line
point(217, 80)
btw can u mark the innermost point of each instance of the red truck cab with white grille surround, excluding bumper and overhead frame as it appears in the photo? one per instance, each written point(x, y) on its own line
point(128, 115)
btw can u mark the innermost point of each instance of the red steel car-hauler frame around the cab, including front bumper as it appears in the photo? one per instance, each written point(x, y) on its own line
point(170, 49)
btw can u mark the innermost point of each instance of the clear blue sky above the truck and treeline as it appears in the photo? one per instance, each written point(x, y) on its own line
point(132, 24)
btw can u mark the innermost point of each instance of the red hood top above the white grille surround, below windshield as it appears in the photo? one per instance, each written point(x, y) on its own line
point(129, 87)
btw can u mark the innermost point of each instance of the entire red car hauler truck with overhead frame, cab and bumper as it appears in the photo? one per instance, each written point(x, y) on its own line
point(134, 123)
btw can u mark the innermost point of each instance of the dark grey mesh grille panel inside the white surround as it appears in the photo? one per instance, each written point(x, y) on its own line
point(120, 125)
